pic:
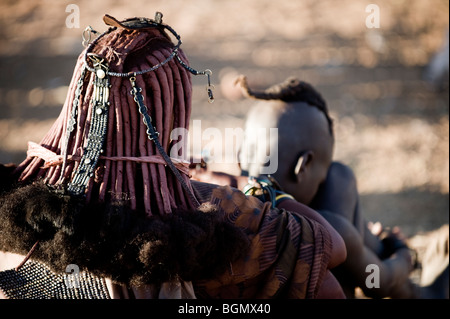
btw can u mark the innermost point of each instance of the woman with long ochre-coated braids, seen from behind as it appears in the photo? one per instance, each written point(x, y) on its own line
point(99, 210)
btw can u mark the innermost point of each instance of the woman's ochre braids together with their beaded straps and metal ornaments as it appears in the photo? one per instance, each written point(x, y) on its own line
point(130, 88)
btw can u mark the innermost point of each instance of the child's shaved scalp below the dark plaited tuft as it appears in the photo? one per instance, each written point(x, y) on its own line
point(302, 129)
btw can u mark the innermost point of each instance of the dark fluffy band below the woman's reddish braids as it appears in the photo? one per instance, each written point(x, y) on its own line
point(110, 240)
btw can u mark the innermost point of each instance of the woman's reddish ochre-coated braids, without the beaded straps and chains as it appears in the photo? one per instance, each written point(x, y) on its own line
point(124, 171)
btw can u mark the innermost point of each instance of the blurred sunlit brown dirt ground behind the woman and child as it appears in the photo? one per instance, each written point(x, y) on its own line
point(392, 127)
